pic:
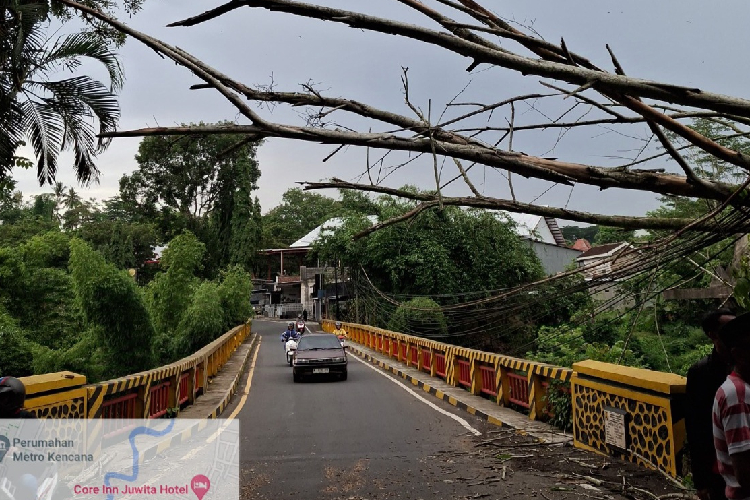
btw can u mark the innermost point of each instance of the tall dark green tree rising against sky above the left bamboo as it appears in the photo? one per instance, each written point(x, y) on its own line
point(203, 184)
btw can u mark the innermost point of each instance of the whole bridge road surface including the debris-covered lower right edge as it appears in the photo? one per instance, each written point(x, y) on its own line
point(371, 438)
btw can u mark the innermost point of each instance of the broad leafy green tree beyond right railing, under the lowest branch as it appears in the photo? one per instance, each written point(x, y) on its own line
point(447, 251)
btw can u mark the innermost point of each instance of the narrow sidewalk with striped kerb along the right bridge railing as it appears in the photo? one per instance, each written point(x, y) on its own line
point(460, 398)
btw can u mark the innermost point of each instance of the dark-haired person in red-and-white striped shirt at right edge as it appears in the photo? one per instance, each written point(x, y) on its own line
point(731, 412)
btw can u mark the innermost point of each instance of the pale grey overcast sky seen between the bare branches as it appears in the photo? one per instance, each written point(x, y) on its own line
point(685, 42)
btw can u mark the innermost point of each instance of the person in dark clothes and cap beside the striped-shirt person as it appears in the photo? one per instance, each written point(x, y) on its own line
point(703, 380)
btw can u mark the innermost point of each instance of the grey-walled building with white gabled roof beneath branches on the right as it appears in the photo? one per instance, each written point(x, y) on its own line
point(544, 237)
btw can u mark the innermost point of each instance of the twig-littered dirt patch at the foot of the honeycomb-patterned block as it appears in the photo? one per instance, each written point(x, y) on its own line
point(521, 467)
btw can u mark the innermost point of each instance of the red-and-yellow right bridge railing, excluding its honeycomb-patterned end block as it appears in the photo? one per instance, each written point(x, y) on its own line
point(506, 380)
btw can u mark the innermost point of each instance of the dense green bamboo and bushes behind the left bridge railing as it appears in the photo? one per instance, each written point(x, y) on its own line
point(68, 297)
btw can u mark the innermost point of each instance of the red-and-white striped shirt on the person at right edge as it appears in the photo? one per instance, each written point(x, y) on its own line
point(732, 430)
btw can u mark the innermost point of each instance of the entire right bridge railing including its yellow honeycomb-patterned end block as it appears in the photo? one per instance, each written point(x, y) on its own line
point(632, 413)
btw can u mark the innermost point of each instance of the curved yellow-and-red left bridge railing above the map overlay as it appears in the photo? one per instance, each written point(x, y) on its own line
point(150, 394)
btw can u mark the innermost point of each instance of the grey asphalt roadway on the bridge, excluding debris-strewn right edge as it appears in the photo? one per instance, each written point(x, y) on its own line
point(362, 438)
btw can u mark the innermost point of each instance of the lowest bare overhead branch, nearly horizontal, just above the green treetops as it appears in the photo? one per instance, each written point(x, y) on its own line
point(653, 223)
